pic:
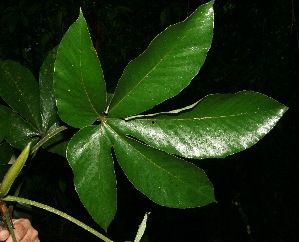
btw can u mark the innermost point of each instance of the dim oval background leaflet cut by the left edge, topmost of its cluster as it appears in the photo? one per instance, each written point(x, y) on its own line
point(19, 90)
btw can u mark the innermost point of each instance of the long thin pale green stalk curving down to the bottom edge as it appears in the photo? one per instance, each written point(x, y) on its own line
point(57, 212)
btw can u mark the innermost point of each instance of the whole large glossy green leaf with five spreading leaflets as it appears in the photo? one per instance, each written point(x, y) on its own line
point(216, 126)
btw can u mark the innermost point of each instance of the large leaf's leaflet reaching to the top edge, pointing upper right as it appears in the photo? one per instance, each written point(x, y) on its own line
point(168, 65)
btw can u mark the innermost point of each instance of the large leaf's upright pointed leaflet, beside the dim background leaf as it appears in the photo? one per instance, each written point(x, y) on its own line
point(78, 78)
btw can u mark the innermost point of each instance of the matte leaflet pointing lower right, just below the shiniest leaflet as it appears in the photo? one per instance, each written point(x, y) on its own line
point(165, 179)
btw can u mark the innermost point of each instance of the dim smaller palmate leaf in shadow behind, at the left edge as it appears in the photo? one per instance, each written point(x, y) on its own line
point(33, 112)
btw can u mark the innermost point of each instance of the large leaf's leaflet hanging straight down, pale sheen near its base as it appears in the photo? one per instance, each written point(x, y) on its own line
point(89, 155)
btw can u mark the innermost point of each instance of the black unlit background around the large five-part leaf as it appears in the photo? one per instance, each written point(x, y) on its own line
point(255, 47)
